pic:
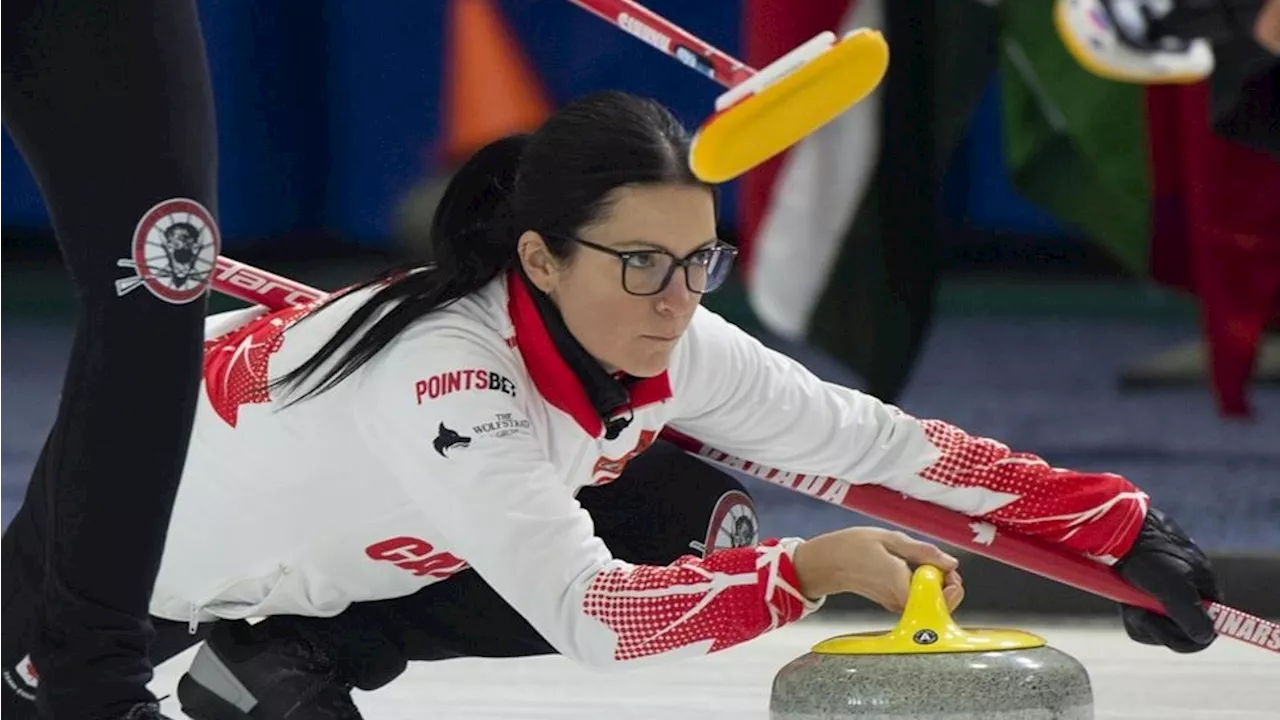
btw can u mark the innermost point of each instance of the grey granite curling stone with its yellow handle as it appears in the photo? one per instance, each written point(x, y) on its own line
point(927, 668)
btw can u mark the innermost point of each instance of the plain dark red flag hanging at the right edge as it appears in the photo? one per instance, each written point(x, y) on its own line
point(1217, 234)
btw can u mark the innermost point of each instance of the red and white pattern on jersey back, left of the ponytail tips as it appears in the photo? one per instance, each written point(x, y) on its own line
point(236, 364)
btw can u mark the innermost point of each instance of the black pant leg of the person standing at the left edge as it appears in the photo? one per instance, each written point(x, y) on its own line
point(111, 104)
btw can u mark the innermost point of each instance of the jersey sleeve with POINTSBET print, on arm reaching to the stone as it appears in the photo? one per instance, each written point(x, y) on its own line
point(474, 463)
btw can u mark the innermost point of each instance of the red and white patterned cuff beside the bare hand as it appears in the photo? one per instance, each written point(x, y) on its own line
point(726, 599)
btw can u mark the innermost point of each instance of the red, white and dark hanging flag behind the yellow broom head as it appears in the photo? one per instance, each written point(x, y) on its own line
point(842, 238)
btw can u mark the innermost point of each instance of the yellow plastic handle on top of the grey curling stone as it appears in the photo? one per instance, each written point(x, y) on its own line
point(927, 627)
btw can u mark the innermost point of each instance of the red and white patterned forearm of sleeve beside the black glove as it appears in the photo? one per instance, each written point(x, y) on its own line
point(1095, 514)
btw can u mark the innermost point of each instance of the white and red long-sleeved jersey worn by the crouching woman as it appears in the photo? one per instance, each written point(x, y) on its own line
point(464, 443)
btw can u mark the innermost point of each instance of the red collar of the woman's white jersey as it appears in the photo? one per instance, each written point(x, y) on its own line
point(554, 377)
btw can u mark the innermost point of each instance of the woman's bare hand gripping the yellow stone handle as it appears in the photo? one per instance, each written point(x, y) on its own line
point(874, 563)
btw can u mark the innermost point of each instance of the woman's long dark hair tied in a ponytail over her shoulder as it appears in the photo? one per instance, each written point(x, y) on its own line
point(555, 181)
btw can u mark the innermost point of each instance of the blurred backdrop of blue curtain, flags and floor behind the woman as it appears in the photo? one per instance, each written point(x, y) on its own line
point(1078, 268)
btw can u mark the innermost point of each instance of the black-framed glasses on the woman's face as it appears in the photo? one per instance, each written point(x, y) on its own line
point(650, 272)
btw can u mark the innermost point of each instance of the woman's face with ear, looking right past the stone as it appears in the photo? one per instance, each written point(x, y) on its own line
point(624, 331)
